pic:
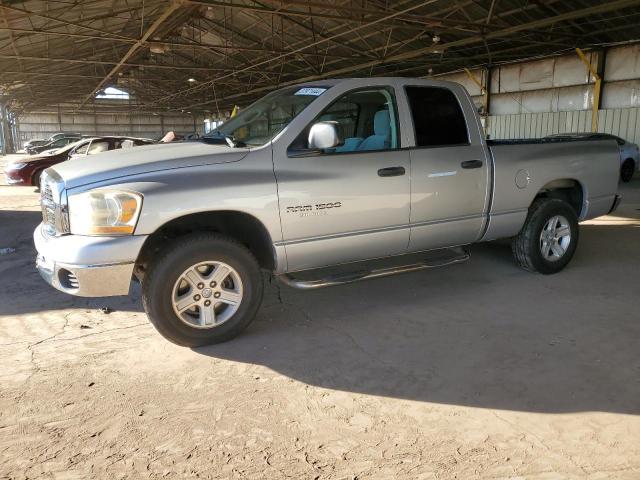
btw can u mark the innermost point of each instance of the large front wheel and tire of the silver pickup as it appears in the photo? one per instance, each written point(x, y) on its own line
point(202, 289)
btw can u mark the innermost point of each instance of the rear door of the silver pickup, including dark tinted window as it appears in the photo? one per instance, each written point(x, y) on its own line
point(449, 174)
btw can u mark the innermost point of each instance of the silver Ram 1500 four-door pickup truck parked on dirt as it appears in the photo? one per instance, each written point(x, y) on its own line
point(319, 184)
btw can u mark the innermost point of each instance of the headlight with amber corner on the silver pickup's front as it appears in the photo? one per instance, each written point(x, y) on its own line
point(104, 212)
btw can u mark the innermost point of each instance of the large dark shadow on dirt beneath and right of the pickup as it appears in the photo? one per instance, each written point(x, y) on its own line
point(485, 334)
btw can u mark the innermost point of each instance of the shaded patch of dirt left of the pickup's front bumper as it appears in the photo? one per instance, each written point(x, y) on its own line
point(22, 290)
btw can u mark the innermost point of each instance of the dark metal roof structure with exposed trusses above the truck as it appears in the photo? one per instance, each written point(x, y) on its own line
point(206, 56)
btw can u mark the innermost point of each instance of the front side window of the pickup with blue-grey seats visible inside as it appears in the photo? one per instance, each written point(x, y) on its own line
point(367, 121)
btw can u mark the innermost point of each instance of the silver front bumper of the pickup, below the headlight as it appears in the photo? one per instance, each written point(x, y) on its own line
point(87, 266)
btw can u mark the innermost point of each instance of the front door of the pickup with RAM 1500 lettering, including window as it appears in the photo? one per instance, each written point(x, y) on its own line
point(351, 202)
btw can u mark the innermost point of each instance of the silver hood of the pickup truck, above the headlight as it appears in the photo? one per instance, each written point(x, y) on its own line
point(136, 160)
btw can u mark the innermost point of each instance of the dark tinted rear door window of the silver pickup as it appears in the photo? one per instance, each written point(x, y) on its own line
point(437, 117)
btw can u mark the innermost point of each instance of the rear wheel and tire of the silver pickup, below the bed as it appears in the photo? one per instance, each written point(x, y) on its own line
point(548, 238)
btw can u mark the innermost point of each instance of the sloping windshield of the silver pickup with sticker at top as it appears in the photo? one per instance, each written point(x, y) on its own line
point(263, 120)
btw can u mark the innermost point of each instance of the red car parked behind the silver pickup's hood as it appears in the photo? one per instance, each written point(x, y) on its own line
point(27, 170)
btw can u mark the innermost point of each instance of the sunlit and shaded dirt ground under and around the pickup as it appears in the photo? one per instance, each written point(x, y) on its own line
point(479, 370)
